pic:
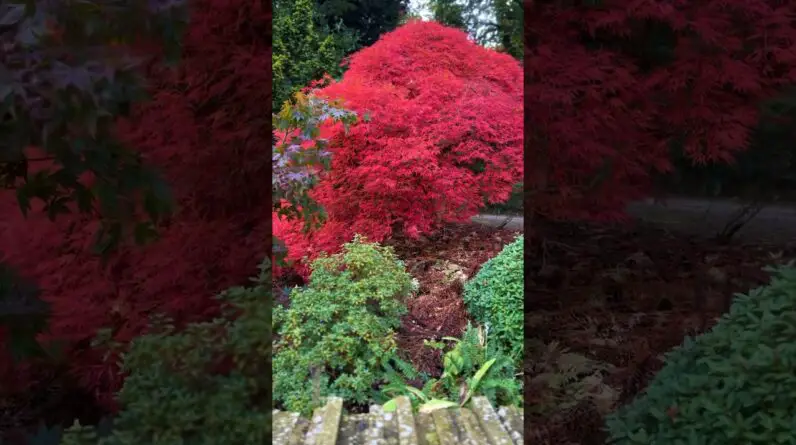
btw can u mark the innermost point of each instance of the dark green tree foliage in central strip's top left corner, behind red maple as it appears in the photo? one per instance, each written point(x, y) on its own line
point(304, 49)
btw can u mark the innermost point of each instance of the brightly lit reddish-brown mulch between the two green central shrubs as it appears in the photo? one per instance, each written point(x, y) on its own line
point(438, 309)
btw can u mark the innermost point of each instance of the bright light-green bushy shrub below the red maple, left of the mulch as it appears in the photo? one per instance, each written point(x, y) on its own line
point(339, 331)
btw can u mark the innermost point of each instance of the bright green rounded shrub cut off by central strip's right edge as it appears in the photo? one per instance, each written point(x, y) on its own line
point(494, 297)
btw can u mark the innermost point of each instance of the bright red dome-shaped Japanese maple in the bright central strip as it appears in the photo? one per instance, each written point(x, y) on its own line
point(439, 104)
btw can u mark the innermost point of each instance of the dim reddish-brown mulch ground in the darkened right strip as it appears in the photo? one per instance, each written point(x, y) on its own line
point(624, 295)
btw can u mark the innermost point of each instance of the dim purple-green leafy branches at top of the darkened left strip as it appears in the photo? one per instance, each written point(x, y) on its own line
point(67, 74)
